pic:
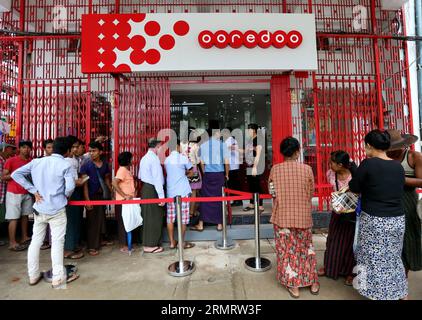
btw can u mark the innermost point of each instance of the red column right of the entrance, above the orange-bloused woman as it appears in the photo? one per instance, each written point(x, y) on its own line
point(281, 113)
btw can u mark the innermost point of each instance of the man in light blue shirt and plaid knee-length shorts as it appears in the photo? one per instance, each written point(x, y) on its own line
point(178, 168)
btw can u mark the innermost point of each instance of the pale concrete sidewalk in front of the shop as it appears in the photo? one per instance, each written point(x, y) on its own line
point(219, 275)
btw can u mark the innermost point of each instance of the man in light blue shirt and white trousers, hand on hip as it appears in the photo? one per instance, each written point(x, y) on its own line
point(52, 184)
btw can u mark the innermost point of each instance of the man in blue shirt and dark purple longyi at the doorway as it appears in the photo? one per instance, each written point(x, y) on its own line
point(215, 163)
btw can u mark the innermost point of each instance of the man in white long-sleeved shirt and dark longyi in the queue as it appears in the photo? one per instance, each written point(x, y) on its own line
point(151, 174)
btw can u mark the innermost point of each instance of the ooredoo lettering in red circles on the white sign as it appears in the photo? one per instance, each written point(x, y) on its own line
point(250, 39)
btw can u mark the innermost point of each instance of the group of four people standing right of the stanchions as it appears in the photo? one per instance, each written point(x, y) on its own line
point(377, 258)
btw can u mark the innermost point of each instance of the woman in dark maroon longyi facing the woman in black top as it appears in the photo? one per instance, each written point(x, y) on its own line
point(339, 259)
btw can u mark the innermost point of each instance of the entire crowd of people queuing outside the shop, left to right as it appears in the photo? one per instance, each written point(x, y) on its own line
point(373, 248)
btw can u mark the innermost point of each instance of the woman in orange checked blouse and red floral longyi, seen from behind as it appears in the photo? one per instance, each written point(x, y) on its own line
point(292, 218)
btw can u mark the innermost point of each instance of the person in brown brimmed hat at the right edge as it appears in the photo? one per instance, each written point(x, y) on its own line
point(412, 164)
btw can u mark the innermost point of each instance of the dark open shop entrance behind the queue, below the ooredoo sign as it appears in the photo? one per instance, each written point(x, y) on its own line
point(233, 109)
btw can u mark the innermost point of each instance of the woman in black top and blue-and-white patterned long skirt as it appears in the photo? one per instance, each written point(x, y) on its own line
point(380, 181)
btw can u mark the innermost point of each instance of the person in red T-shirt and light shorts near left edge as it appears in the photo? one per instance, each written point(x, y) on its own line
point(18, 200)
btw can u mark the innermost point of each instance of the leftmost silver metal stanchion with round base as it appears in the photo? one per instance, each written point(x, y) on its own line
point(182, 267)
